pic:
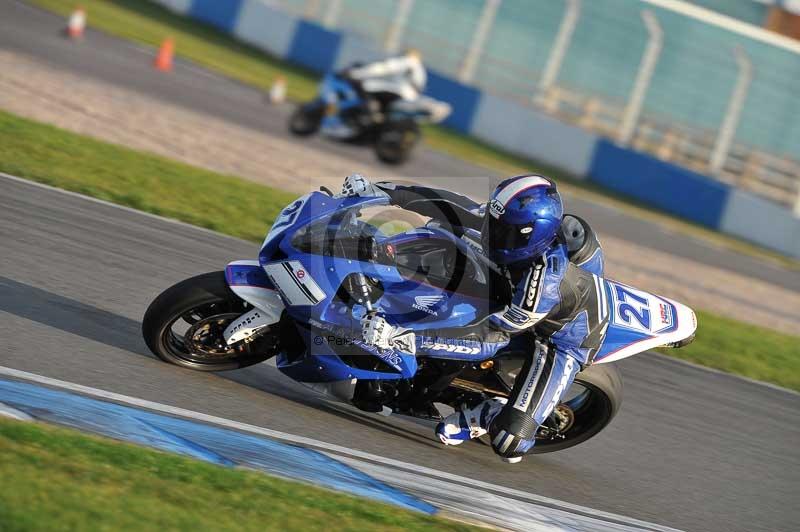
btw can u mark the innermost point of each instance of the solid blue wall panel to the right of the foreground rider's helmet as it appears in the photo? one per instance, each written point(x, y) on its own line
point(667, 186)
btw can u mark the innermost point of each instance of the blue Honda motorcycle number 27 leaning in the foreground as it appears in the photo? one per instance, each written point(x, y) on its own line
point(328, 260)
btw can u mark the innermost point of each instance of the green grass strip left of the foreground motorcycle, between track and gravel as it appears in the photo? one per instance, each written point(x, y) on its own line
point(146, 182)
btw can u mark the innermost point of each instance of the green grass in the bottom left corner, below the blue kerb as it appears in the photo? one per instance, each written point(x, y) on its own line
point(59, 479)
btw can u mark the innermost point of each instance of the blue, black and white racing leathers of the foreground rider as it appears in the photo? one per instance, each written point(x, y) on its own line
point(557, 297)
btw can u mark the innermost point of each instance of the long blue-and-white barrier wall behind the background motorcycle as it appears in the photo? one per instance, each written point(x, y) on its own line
point(518, 128)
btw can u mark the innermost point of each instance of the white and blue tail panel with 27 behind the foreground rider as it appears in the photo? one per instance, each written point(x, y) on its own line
point(640, 321)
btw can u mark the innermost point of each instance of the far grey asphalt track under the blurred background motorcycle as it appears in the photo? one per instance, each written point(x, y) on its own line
point(28, 30)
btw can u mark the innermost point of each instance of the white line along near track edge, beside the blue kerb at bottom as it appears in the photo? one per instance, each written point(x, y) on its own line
point(309, 442)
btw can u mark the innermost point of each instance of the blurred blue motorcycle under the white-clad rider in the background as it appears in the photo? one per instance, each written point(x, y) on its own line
point(390, 124)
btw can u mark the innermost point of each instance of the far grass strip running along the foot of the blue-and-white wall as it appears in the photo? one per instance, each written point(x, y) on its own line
point(148, 23)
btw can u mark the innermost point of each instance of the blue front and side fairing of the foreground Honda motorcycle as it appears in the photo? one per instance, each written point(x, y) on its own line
point(407, 301)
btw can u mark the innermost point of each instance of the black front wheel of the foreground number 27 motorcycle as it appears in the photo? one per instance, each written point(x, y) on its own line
point(184, 326)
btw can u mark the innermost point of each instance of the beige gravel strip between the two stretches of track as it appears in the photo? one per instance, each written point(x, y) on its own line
point(41, 92)
